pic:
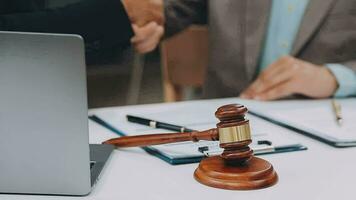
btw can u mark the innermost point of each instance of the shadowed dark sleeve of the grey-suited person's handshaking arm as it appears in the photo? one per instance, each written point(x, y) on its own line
point(180, 14)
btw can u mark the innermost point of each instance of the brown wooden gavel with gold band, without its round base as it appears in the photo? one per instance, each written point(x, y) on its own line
point(233, 132)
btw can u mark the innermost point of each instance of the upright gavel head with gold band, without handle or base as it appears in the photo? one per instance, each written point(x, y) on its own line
point(234, 134)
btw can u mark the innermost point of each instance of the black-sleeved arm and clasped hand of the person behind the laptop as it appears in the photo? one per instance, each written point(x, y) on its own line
point(104, 24)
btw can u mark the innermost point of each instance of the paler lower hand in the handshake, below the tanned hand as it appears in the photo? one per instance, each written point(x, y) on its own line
point(147, 37)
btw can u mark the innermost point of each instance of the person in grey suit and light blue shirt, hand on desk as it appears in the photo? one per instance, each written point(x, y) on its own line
point(271, 49)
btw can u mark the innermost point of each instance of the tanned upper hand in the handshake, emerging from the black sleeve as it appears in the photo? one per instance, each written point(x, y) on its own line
point(142, 12)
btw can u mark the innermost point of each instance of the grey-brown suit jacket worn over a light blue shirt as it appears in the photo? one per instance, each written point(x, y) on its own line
point(237, 28)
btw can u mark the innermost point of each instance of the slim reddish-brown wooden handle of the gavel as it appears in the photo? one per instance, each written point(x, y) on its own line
point(165, 138)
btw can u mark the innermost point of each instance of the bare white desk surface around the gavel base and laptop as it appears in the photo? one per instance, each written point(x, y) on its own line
point(321, 172)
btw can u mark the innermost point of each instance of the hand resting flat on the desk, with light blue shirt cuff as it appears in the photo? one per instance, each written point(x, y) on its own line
point(289, 76)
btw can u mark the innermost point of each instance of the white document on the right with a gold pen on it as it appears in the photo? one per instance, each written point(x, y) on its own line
point(315, 118)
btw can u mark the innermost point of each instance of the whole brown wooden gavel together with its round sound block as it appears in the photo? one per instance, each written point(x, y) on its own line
point(236, 168)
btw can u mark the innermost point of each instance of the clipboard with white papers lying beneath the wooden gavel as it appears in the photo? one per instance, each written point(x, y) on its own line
point(197, 115)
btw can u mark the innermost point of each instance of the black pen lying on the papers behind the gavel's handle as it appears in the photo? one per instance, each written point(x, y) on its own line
point(157, 124)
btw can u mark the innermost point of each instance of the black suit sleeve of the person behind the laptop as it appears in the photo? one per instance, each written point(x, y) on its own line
point(102, 23)
